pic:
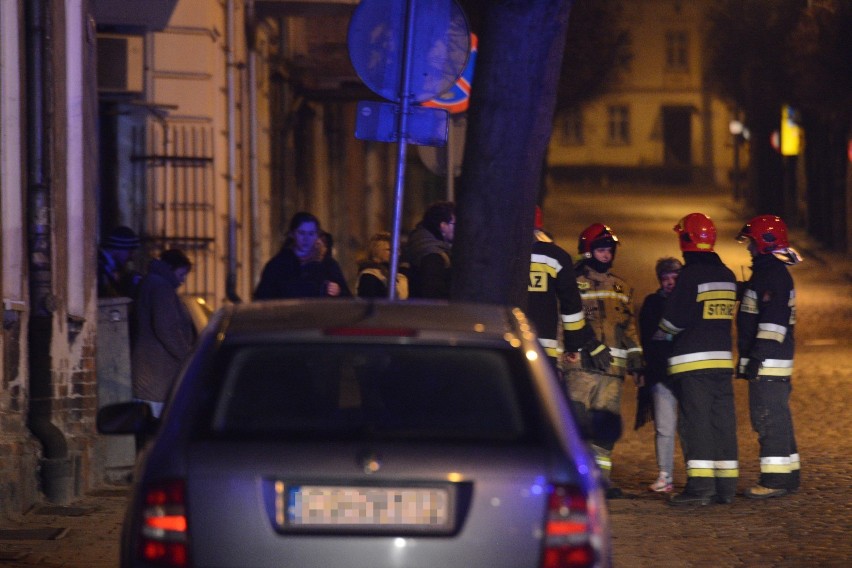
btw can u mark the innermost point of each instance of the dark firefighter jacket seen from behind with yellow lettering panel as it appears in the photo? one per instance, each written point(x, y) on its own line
point(699, 314)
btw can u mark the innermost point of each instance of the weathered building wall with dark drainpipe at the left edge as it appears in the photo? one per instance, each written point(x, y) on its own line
point(47, 249)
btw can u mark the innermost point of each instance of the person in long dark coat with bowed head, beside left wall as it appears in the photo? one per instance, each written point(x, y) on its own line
point(164, 333)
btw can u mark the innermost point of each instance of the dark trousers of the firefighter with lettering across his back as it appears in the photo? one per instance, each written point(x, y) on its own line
point(708, 432)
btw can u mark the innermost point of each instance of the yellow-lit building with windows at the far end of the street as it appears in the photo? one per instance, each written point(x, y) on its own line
point(659, 123)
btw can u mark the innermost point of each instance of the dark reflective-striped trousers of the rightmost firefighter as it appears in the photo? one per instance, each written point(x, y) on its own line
point(769, 408)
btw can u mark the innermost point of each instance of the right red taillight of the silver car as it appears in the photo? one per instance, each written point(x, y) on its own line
point(567, 537)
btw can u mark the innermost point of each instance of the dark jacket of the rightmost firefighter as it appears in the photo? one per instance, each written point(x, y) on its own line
point(767, 317)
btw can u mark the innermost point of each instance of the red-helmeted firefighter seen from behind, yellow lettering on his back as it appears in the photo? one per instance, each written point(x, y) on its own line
point(698, 316)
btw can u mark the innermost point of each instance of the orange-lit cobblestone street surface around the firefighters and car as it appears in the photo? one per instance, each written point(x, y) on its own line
point(810, 528)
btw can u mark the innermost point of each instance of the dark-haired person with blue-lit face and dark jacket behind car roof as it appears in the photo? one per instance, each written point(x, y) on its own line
point(300, 270)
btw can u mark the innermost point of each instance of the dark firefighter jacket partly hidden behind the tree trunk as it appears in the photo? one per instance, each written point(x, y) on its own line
point(554, 302)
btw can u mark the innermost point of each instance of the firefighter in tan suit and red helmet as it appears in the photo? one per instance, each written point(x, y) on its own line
point(610, 350)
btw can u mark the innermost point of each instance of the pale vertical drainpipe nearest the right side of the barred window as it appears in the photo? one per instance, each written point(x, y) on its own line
point(231, 281)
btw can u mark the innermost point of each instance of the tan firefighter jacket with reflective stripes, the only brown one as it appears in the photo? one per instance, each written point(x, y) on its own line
point(608, 307)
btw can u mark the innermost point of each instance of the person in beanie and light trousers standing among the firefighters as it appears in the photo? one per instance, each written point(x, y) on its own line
point(655, 399)
